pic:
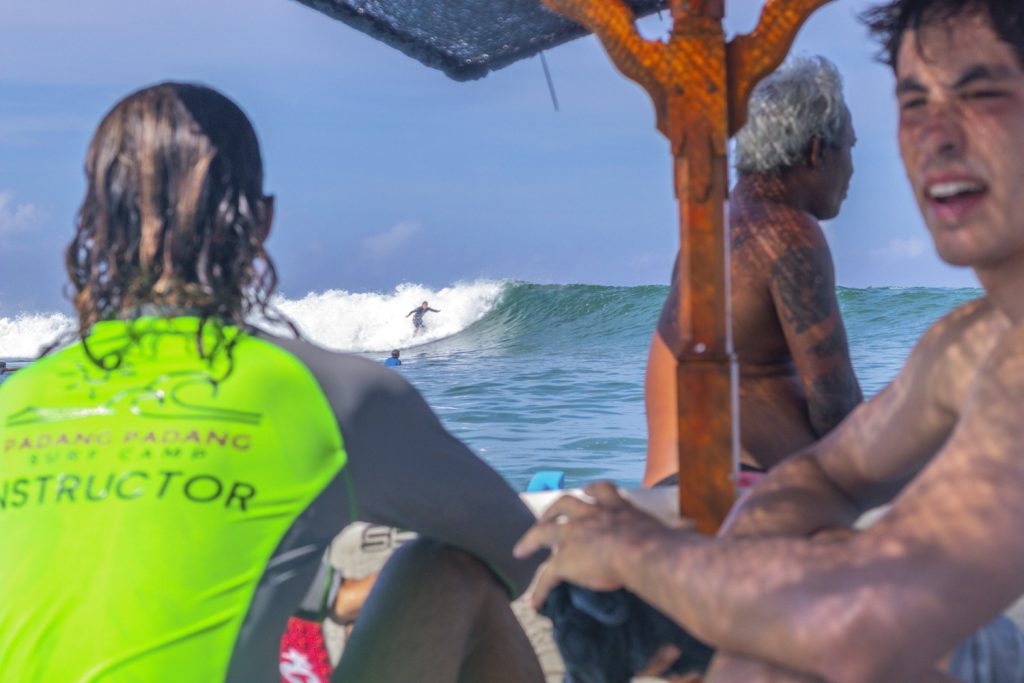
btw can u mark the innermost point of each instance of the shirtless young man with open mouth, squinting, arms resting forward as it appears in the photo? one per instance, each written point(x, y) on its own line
point(789, 591)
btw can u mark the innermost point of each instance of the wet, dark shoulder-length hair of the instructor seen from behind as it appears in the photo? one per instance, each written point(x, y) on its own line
point(175, 217)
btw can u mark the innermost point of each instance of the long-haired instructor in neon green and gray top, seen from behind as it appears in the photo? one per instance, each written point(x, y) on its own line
point(191, 468)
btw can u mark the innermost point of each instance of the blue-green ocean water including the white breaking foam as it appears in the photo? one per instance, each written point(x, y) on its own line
point(543, 376)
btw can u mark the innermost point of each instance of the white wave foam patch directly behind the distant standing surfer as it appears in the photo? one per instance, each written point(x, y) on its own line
point(376, 322)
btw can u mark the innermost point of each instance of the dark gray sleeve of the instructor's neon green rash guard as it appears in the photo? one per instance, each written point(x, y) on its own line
point(408, 472)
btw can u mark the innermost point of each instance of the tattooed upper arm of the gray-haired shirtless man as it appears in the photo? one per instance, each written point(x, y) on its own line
point(803, 289)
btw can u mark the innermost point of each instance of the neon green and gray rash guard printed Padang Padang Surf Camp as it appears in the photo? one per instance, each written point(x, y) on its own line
point(160, 521)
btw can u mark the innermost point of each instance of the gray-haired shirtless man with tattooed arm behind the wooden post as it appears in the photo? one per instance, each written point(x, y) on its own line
point(796, 380)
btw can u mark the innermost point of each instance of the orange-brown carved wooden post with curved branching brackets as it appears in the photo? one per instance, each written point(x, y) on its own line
point(700, 87)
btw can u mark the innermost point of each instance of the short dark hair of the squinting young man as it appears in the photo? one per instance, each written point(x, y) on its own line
point(888, 23)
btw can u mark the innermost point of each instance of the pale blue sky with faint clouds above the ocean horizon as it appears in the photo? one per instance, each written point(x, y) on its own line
point(387, 172)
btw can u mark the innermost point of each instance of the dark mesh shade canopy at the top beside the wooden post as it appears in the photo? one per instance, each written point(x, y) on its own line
point(466, 39)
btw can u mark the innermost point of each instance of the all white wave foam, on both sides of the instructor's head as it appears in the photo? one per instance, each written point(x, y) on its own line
point(344, 321)
